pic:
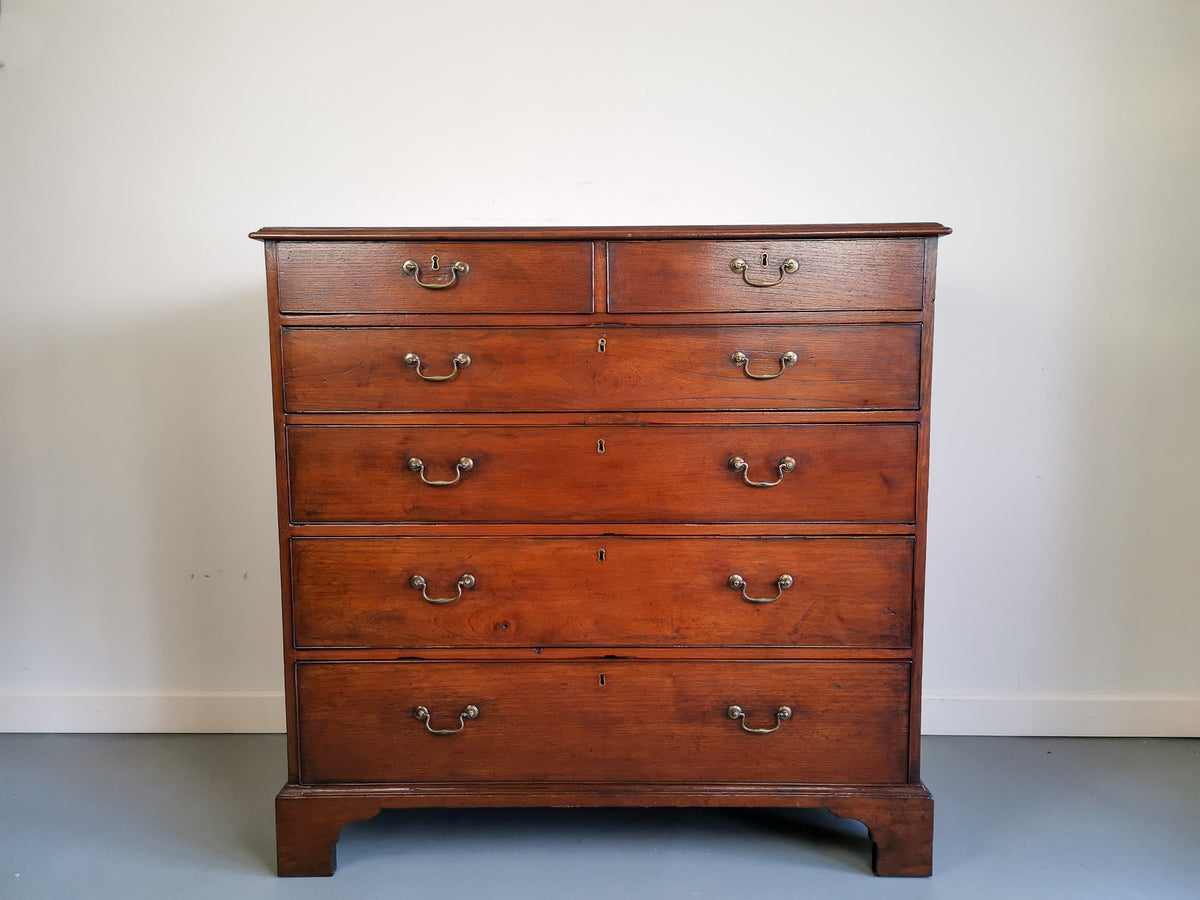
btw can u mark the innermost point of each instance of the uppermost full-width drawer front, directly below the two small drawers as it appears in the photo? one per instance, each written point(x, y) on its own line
point(568, 369)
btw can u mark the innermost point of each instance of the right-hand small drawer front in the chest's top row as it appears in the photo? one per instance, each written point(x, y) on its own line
point(697, 277)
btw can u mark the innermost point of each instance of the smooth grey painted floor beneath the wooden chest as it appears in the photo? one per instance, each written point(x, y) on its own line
point(191, 817)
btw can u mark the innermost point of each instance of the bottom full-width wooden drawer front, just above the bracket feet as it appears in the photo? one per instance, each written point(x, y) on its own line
point(609, 721)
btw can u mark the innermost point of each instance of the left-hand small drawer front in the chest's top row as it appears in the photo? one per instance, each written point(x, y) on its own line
point(349, 277)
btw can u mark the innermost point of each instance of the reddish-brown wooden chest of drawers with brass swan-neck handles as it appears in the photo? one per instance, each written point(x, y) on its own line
point(603, 518)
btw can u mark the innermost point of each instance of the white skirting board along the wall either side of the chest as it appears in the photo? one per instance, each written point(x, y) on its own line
point(262, 712)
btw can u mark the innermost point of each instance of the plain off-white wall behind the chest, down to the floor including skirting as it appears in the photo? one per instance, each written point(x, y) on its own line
point(142, 140)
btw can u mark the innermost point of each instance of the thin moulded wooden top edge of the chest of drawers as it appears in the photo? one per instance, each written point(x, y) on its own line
point(903, 230)
